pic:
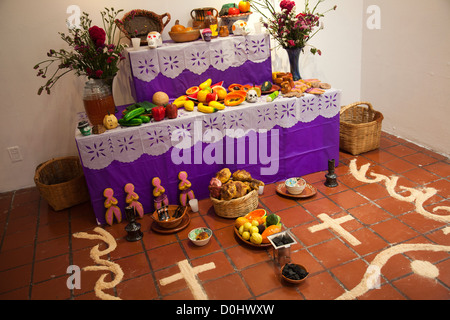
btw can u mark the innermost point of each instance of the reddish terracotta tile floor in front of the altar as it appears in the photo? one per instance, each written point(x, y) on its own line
point(37, 246)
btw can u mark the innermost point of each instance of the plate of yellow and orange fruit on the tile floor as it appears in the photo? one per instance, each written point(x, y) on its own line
point(255, 227)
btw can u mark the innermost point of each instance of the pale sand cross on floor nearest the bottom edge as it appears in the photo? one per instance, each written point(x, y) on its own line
point(190, 275)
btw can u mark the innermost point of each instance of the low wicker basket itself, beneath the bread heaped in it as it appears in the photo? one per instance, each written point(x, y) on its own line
point(237, 207)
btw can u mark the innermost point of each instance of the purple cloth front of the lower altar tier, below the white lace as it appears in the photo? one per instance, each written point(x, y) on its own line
point(304, 148)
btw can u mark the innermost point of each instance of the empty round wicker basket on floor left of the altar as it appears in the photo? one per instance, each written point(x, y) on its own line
point(61, 182)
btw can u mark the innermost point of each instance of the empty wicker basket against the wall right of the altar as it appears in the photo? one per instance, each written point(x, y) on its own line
point(360, 128)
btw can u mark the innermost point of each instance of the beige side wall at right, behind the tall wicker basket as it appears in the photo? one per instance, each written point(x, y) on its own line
point(406, 70)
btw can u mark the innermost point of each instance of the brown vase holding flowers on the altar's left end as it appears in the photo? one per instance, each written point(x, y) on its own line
point(98, 101)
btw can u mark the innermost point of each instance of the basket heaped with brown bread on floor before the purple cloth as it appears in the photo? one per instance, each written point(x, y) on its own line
point(234, 195)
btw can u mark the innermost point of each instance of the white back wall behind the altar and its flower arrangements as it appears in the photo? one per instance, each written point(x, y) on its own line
point(43, 126)
